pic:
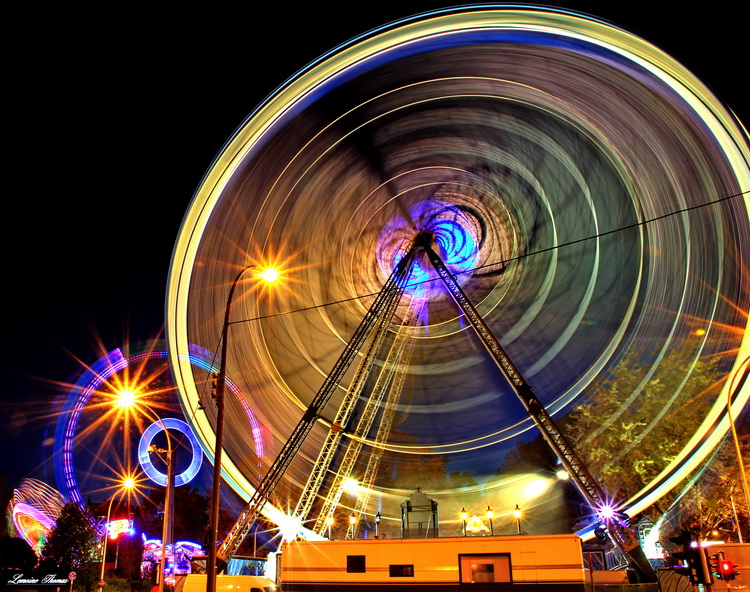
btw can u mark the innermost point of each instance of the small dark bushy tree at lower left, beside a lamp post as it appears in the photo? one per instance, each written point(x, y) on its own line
point(73, 545)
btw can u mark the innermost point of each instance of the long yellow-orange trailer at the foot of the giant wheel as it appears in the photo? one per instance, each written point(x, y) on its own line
point(480, 563)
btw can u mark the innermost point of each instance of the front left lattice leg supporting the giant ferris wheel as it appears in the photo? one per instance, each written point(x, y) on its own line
point(392, 291)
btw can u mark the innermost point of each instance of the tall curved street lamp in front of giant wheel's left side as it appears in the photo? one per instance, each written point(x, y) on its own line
point(269, 275)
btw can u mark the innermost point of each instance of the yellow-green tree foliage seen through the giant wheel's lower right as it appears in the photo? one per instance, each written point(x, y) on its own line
point(634, 422)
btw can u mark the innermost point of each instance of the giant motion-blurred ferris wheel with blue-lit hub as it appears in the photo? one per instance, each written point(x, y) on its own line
point(586, 191)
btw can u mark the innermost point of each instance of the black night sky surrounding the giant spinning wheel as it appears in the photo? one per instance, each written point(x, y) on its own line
point(114, 119)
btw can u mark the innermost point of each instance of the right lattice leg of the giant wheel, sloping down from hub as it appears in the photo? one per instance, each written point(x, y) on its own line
point(588, 486)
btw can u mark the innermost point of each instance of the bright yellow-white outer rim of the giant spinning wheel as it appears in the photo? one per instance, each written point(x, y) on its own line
point(563, 29)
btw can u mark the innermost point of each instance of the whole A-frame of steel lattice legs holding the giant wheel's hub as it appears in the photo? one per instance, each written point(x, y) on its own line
point(370, 337)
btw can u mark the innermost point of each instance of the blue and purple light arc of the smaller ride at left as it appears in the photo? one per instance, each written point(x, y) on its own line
point(92, 378)
